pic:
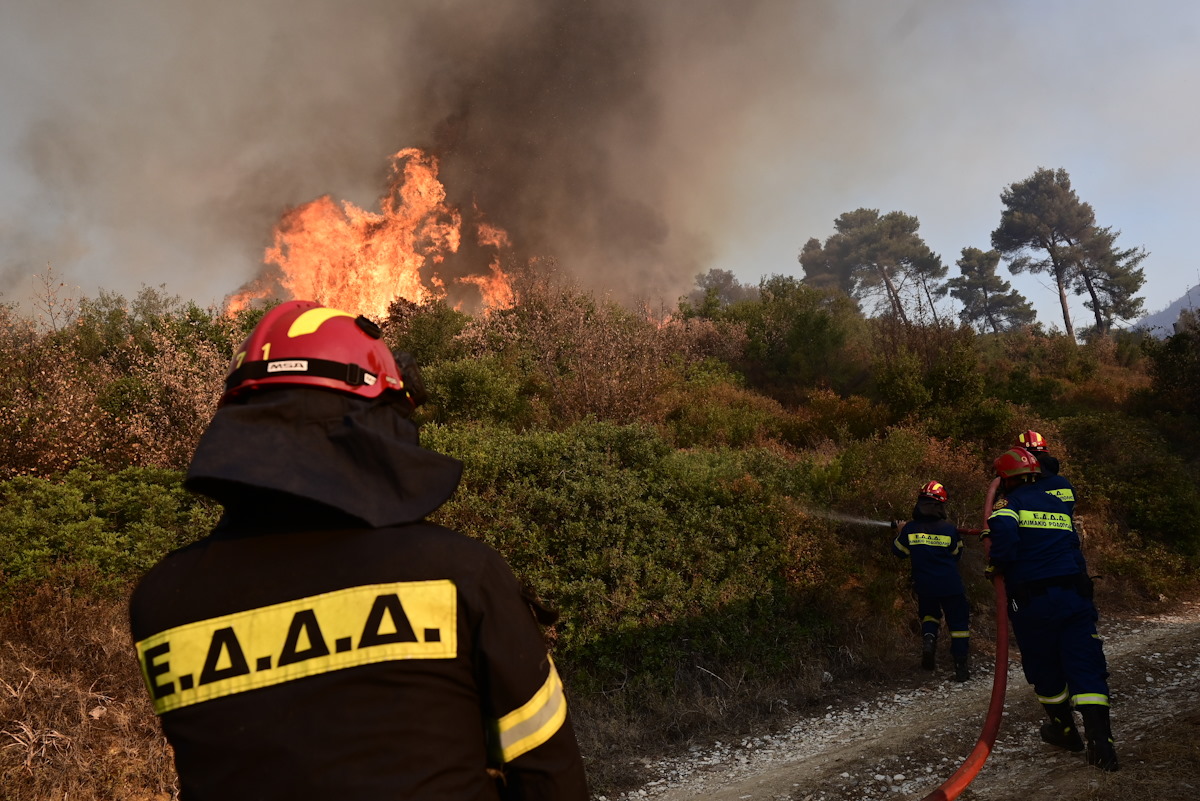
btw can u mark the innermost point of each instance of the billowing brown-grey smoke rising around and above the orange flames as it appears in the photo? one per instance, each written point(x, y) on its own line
point(165, 144)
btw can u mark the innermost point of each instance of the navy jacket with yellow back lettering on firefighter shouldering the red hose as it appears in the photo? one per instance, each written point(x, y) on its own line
point(1034, 537)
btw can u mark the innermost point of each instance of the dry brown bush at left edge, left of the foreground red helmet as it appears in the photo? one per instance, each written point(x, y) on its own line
point(140, 402)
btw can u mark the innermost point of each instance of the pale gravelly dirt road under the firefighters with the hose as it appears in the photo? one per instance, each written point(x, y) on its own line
point(904, 743)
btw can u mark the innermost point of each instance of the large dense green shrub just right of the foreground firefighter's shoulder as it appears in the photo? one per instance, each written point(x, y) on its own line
point(645, 550)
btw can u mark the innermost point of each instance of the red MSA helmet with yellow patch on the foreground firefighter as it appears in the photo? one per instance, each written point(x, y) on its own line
point(303, 344)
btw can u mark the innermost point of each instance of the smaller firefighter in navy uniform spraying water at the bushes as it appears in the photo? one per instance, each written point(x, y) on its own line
point(934, 547)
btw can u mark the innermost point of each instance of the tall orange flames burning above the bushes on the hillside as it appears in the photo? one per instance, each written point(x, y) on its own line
point(346, 257)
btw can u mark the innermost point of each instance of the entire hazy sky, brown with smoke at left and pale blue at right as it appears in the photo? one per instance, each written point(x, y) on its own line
point(644, 142)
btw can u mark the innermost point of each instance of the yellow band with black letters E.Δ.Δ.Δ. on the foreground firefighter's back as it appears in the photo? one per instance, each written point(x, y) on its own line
point(269, 646)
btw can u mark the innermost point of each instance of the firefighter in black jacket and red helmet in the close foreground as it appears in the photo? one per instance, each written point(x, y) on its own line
point(326, 642)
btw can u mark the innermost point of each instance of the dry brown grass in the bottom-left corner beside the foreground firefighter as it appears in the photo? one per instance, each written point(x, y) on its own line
point(76, 721)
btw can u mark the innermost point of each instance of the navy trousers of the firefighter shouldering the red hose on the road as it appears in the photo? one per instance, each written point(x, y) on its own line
point(1061, 653)
